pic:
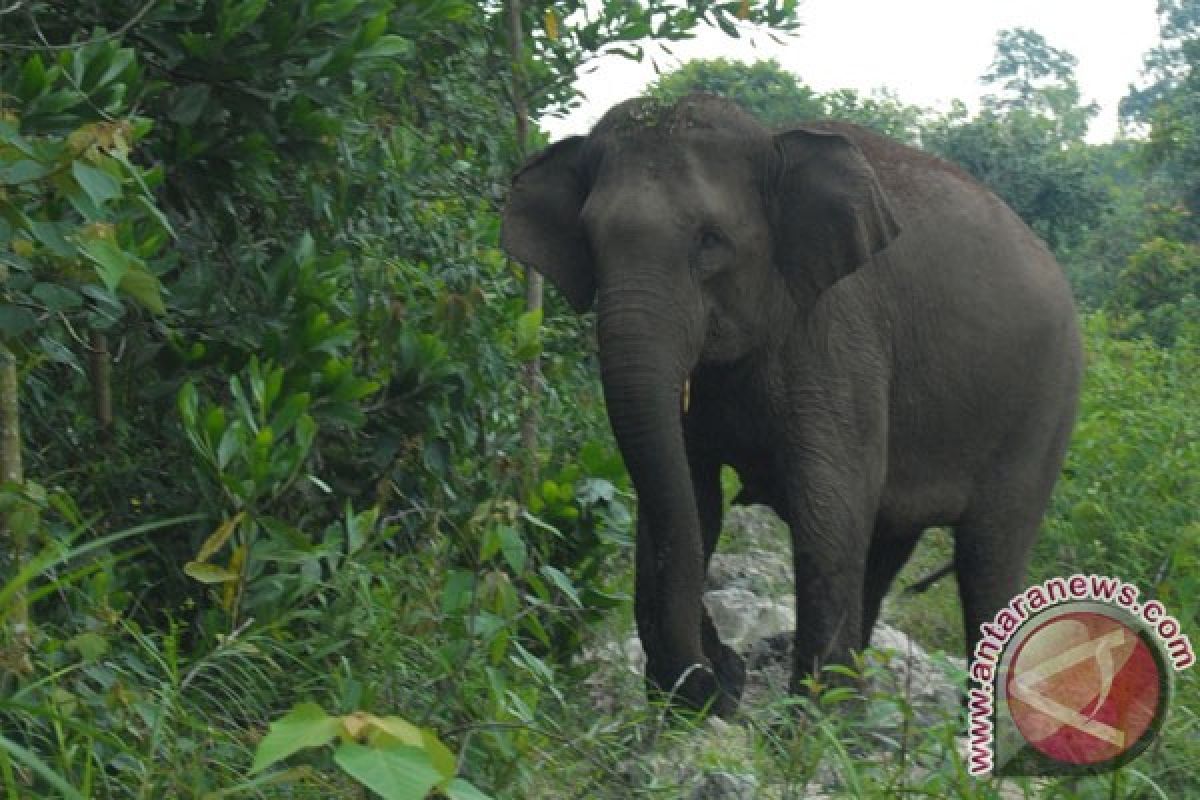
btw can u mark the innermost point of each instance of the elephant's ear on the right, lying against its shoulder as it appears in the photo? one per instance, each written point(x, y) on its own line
point(830, 213)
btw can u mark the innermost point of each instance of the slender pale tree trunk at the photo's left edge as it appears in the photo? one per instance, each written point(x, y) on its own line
point(14, 526)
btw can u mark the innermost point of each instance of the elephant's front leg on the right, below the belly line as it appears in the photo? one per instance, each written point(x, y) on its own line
point(830, 516)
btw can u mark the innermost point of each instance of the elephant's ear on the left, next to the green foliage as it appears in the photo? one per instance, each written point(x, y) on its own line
point(542, 225)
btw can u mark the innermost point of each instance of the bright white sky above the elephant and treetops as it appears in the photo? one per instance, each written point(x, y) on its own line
point(928, 52)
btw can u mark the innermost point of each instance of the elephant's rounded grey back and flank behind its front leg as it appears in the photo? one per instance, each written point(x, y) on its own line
point(985, 350)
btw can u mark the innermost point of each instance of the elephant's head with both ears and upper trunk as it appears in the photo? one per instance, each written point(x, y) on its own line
point(691, 228)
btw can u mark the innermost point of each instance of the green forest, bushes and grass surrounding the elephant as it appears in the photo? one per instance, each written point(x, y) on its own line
point(291, 450)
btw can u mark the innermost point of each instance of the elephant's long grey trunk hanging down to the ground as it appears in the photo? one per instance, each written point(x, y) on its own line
point(645, 363)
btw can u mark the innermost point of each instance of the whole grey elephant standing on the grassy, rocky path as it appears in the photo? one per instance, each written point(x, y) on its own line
point(874, 342)
